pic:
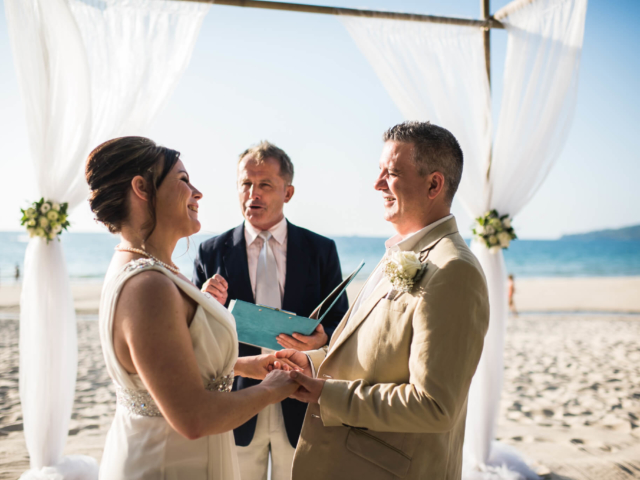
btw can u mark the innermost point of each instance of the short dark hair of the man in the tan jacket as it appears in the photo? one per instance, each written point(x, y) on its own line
point(435, 149)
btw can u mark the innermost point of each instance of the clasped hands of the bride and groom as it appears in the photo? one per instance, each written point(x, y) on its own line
point(292, 361)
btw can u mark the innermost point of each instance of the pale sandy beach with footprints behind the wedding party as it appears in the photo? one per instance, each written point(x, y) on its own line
point(570, 404)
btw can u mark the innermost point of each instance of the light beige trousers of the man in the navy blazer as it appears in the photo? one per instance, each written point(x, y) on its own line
point(270, 435)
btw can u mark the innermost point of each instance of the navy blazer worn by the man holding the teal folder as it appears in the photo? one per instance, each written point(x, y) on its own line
point(313, 271)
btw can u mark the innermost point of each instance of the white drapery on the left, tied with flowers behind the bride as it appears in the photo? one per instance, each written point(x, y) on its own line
point(88, 70)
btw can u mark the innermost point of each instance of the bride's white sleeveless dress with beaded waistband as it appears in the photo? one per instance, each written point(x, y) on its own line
point(141, 444)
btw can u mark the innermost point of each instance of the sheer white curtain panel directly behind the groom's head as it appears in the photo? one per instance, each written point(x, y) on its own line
point(435, 72)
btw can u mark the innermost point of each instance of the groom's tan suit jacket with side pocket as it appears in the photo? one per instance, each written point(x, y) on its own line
point(398, 373)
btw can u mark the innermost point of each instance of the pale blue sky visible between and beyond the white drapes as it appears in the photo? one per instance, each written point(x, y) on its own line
point(299, 81)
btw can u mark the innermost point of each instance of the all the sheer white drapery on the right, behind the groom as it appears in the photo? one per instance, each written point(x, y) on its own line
point(437, 73)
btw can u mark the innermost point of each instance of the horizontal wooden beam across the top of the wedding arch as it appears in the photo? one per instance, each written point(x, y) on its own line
point(486, 23)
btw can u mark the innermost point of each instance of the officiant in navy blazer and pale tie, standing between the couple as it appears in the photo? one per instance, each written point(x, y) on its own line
point(269, 261)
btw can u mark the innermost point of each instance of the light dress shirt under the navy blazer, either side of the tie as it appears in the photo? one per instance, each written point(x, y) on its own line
point(278, 243)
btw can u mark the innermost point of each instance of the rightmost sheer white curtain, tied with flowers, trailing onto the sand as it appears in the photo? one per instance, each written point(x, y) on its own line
point(539, 96)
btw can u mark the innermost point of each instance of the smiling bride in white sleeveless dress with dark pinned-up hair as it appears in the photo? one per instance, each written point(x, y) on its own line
point(170, 349)
